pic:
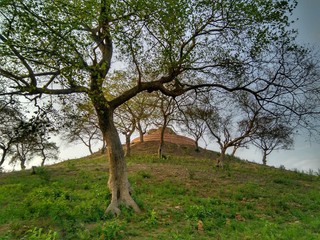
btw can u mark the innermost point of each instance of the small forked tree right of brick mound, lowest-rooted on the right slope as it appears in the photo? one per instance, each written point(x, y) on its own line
point(233, 124)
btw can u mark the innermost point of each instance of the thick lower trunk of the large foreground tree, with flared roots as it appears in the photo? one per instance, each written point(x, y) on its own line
point(118, 177)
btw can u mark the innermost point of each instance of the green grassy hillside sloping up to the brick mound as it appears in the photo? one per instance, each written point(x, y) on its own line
point(182, 197)
